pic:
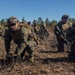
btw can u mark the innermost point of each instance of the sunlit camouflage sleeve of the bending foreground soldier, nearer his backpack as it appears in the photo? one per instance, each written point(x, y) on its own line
point(23, 40)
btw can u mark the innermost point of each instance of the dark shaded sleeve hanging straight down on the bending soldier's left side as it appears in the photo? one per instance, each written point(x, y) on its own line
point(7, 40)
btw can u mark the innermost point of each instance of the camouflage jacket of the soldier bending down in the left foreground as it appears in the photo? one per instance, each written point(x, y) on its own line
point(20, 37)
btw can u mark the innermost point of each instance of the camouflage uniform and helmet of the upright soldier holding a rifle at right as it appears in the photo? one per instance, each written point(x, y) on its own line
point(60, 31)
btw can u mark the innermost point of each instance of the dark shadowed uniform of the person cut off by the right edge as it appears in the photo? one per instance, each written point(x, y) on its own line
point(71, 38)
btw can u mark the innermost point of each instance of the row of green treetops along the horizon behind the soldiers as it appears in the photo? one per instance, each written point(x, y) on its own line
point(49, 23)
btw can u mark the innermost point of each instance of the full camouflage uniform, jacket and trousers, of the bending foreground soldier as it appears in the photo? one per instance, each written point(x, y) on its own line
point(21, 38)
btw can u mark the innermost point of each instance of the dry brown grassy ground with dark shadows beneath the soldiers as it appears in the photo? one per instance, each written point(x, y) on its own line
point(47, 60)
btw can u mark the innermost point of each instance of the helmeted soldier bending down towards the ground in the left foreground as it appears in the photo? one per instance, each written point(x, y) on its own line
point(21, 36)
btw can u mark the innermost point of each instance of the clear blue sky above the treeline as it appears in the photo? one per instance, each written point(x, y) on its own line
point(33, 9)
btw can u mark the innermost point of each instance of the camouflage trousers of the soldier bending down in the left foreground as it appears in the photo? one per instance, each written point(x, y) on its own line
point(29, 48)
